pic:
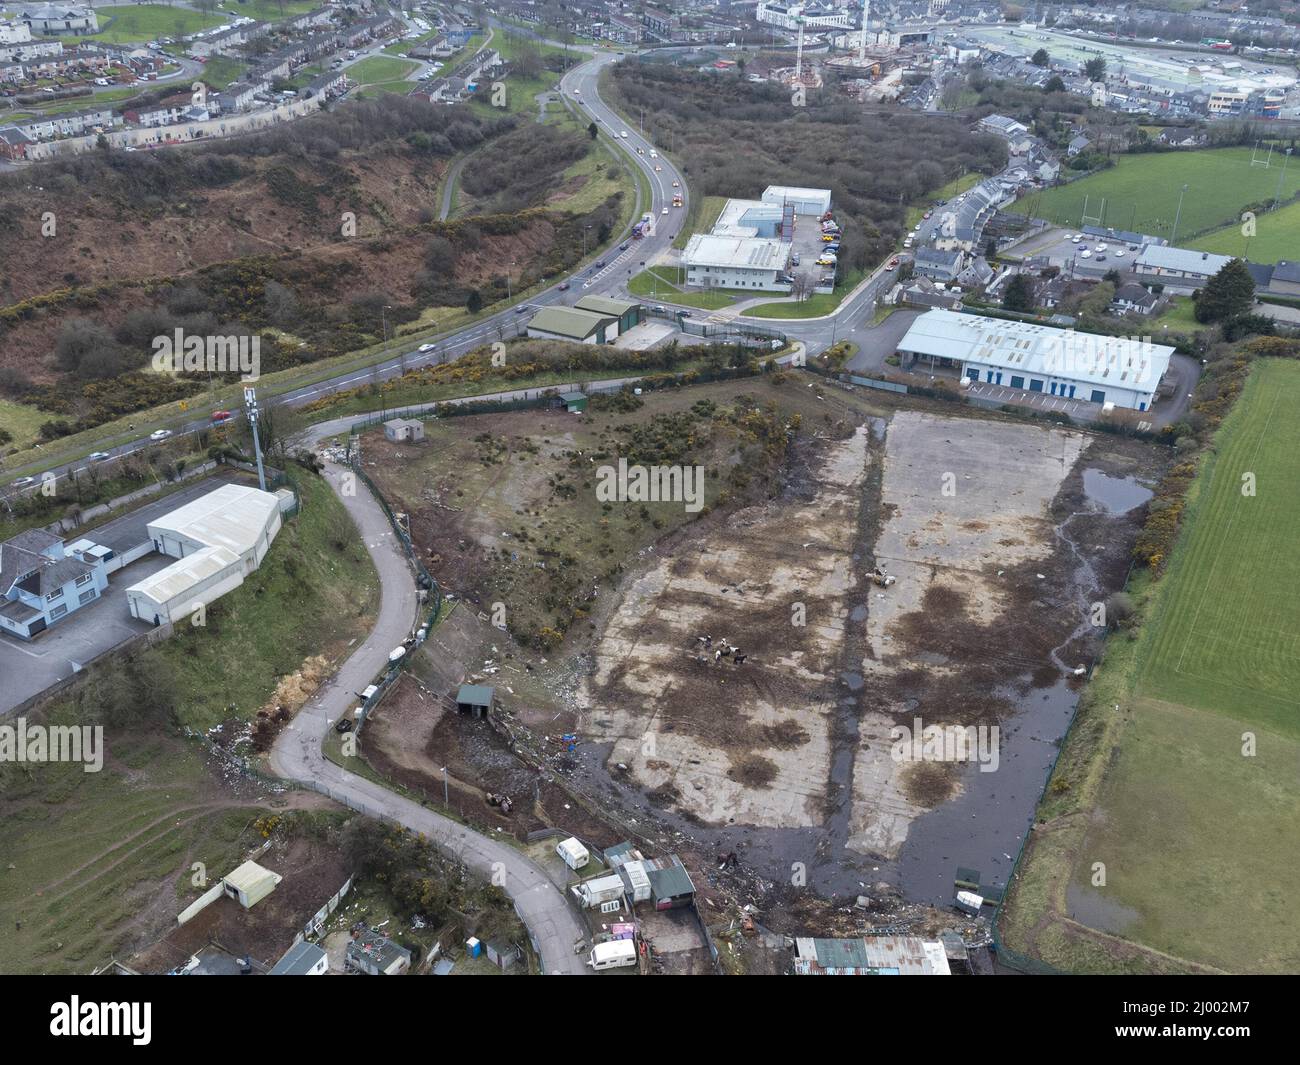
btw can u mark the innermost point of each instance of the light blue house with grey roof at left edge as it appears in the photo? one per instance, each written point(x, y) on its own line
point(42, 583)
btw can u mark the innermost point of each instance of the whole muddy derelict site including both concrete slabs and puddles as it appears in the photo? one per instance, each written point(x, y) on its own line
point(1000, 536)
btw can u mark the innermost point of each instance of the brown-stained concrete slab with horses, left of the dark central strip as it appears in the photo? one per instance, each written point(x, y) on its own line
point(738, 744)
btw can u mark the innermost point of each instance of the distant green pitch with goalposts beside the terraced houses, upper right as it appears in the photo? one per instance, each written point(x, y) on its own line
point(1141, 192)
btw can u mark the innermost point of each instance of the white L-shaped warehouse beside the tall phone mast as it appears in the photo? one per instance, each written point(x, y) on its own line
point(218, 540)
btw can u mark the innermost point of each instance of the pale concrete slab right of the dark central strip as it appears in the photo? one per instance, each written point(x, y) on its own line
point(964, 499)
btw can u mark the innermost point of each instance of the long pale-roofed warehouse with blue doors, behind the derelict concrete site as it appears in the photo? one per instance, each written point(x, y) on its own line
point(1123, 371)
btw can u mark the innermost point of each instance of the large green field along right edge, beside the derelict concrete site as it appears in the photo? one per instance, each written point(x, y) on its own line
point(1181, 780)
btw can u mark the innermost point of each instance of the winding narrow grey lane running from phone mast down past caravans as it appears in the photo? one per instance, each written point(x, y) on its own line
point(297, 754)
